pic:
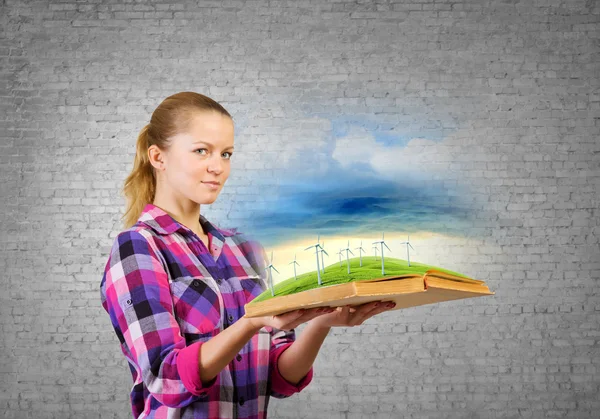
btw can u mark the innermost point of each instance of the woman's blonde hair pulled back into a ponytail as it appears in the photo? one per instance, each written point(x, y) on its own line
point(171, 117)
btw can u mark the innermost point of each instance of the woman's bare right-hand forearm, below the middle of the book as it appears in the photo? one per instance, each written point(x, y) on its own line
point(295, 362)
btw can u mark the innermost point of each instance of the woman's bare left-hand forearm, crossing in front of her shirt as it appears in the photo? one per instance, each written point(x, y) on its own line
point(218, 351)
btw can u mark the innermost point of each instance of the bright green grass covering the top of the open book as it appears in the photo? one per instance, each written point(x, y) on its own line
point(335, 274)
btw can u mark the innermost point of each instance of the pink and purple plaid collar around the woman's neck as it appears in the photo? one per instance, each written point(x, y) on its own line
point(161, 222)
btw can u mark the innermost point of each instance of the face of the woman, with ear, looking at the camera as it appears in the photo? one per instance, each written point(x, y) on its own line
point(197, 163)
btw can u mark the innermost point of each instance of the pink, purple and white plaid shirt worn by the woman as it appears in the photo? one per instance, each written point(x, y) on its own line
point(167, 294)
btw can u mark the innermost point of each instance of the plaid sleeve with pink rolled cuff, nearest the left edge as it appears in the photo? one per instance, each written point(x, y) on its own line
point(137, 296)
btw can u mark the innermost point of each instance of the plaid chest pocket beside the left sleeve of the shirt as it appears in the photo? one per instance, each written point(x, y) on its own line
point(197, 306)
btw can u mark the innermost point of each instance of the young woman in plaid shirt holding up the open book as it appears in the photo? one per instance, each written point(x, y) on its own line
point(175, 284)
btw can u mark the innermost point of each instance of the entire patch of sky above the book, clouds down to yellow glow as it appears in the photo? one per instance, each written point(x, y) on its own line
point(354, 184)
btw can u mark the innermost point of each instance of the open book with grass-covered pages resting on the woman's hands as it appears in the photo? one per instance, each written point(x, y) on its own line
point(423, 285)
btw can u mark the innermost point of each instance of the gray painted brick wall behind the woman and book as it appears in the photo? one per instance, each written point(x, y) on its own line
point(509, 90)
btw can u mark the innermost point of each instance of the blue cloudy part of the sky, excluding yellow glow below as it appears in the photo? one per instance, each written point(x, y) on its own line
point(363, 179)
